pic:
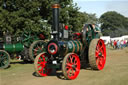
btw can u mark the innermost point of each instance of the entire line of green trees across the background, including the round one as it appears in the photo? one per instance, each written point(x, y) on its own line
point(36, 15)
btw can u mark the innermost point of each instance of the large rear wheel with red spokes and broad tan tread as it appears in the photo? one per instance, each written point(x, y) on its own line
point(97, 54)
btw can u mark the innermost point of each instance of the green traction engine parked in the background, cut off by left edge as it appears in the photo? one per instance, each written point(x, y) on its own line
point(25, 47)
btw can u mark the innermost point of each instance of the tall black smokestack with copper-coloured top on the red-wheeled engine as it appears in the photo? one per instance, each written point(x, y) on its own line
point(55, 26)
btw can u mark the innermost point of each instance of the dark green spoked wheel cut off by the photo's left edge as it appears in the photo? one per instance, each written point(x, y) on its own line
point(4, 59)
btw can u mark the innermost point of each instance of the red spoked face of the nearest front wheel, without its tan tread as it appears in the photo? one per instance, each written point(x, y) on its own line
point(72, 66)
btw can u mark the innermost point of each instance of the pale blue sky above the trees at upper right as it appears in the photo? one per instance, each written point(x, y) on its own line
point(101, 6)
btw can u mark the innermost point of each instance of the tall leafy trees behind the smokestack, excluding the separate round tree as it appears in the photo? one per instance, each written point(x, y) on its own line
point(36, 15)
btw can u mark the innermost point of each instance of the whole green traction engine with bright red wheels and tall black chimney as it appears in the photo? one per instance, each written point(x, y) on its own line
point(70, 52)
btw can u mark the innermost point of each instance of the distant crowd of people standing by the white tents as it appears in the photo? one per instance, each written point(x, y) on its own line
point(119, 44)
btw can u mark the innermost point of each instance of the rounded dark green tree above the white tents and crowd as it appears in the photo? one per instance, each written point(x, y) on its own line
point(113, 24)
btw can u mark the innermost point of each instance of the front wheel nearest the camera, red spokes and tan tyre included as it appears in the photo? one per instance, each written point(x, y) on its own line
point(71, 66)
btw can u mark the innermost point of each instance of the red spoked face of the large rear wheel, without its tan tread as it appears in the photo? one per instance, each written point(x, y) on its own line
point(100, 54)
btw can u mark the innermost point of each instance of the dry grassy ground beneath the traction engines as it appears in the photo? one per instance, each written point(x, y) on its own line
point(114, 73)
